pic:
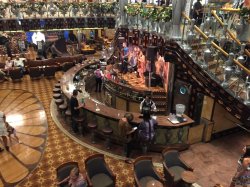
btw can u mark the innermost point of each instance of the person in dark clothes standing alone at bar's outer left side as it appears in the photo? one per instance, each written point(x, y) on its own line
point(75, 109)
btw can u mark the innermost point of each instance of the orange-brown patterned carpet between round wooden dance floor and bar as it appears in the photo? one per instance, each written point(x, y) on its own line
point(60, 148)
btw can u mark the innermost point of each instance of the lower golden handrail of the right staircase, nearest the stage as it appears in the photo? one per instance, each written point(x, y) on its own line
point(215, 45)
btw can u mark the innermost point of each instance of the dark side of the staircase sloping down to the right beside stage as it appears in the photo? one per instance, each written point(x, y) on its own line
point(209, 82)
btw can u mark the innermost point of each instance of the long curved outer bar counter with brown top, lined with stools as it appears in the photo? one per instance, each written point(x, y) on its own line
point(166, 132)
